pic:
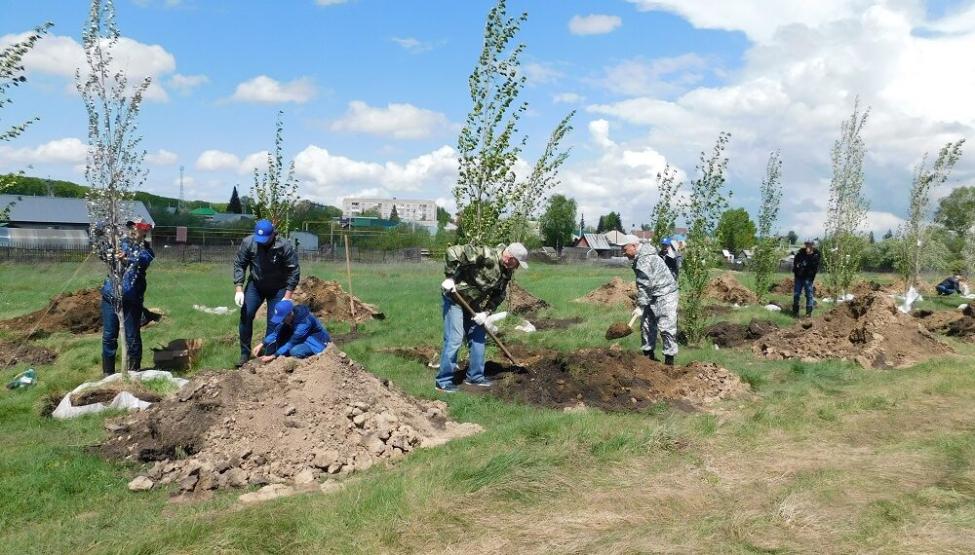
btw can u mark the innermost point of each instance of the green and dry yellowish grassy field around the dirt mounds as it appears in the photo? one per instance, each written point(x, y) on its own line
point(822, 457)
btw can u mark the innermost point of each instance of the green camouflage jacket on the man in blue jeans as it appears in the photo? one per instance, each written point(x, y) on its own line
point(480, 277)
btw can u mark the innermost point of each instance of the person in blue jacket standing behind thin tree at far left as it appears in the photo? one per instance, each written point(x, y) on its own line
point(136, 255)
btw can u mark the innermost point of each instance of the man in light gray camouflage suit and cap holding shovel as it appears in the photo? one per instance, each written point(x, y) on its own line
point(656, 298)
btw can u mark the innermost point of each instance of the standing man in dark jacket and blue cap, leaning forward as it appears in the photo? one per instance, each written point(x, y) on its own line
point(274, 275)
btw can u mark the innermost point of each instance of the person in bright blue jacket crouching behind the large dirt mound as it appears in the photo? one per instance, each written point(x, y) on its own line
point(295, 333)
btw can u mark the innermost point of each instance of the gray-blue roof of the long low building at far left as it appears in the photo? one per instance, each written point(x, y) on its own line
point(31, 212)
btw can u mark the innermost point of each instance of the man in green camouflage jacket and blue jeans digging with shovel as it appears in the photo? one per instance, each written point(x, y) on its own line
point(480, 275)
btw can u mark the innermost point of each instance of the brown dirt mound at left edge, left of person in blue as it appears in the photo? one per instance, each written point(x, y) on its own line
point(78, 312)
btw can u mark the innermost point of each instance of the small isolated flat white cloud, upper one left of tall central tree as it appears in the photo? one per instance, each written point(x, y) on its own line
point(399, 121)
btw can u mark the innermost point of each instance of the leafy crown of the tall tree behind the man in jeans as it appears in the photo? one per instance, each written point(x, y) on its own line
point(493, 201)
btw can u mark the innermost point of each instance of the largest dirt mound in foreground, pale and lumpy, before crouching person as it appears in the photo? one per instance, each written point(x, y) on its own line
point(287, 421)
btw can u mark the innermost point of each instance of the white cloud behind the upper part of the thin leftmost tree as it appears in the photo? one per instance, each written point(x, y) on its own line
point(62, 56)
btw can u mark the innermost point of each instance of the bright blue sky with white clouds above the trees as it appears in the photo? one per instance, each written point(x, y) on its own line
point(374, 93)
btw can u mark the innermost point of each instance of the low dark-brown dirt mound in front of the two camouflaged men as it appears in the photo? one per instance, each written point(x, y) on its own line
point(614, 380)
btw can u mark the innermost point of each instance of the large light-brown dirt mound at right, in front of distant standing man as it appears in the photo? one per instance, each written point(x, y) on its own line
point(868, 330)
